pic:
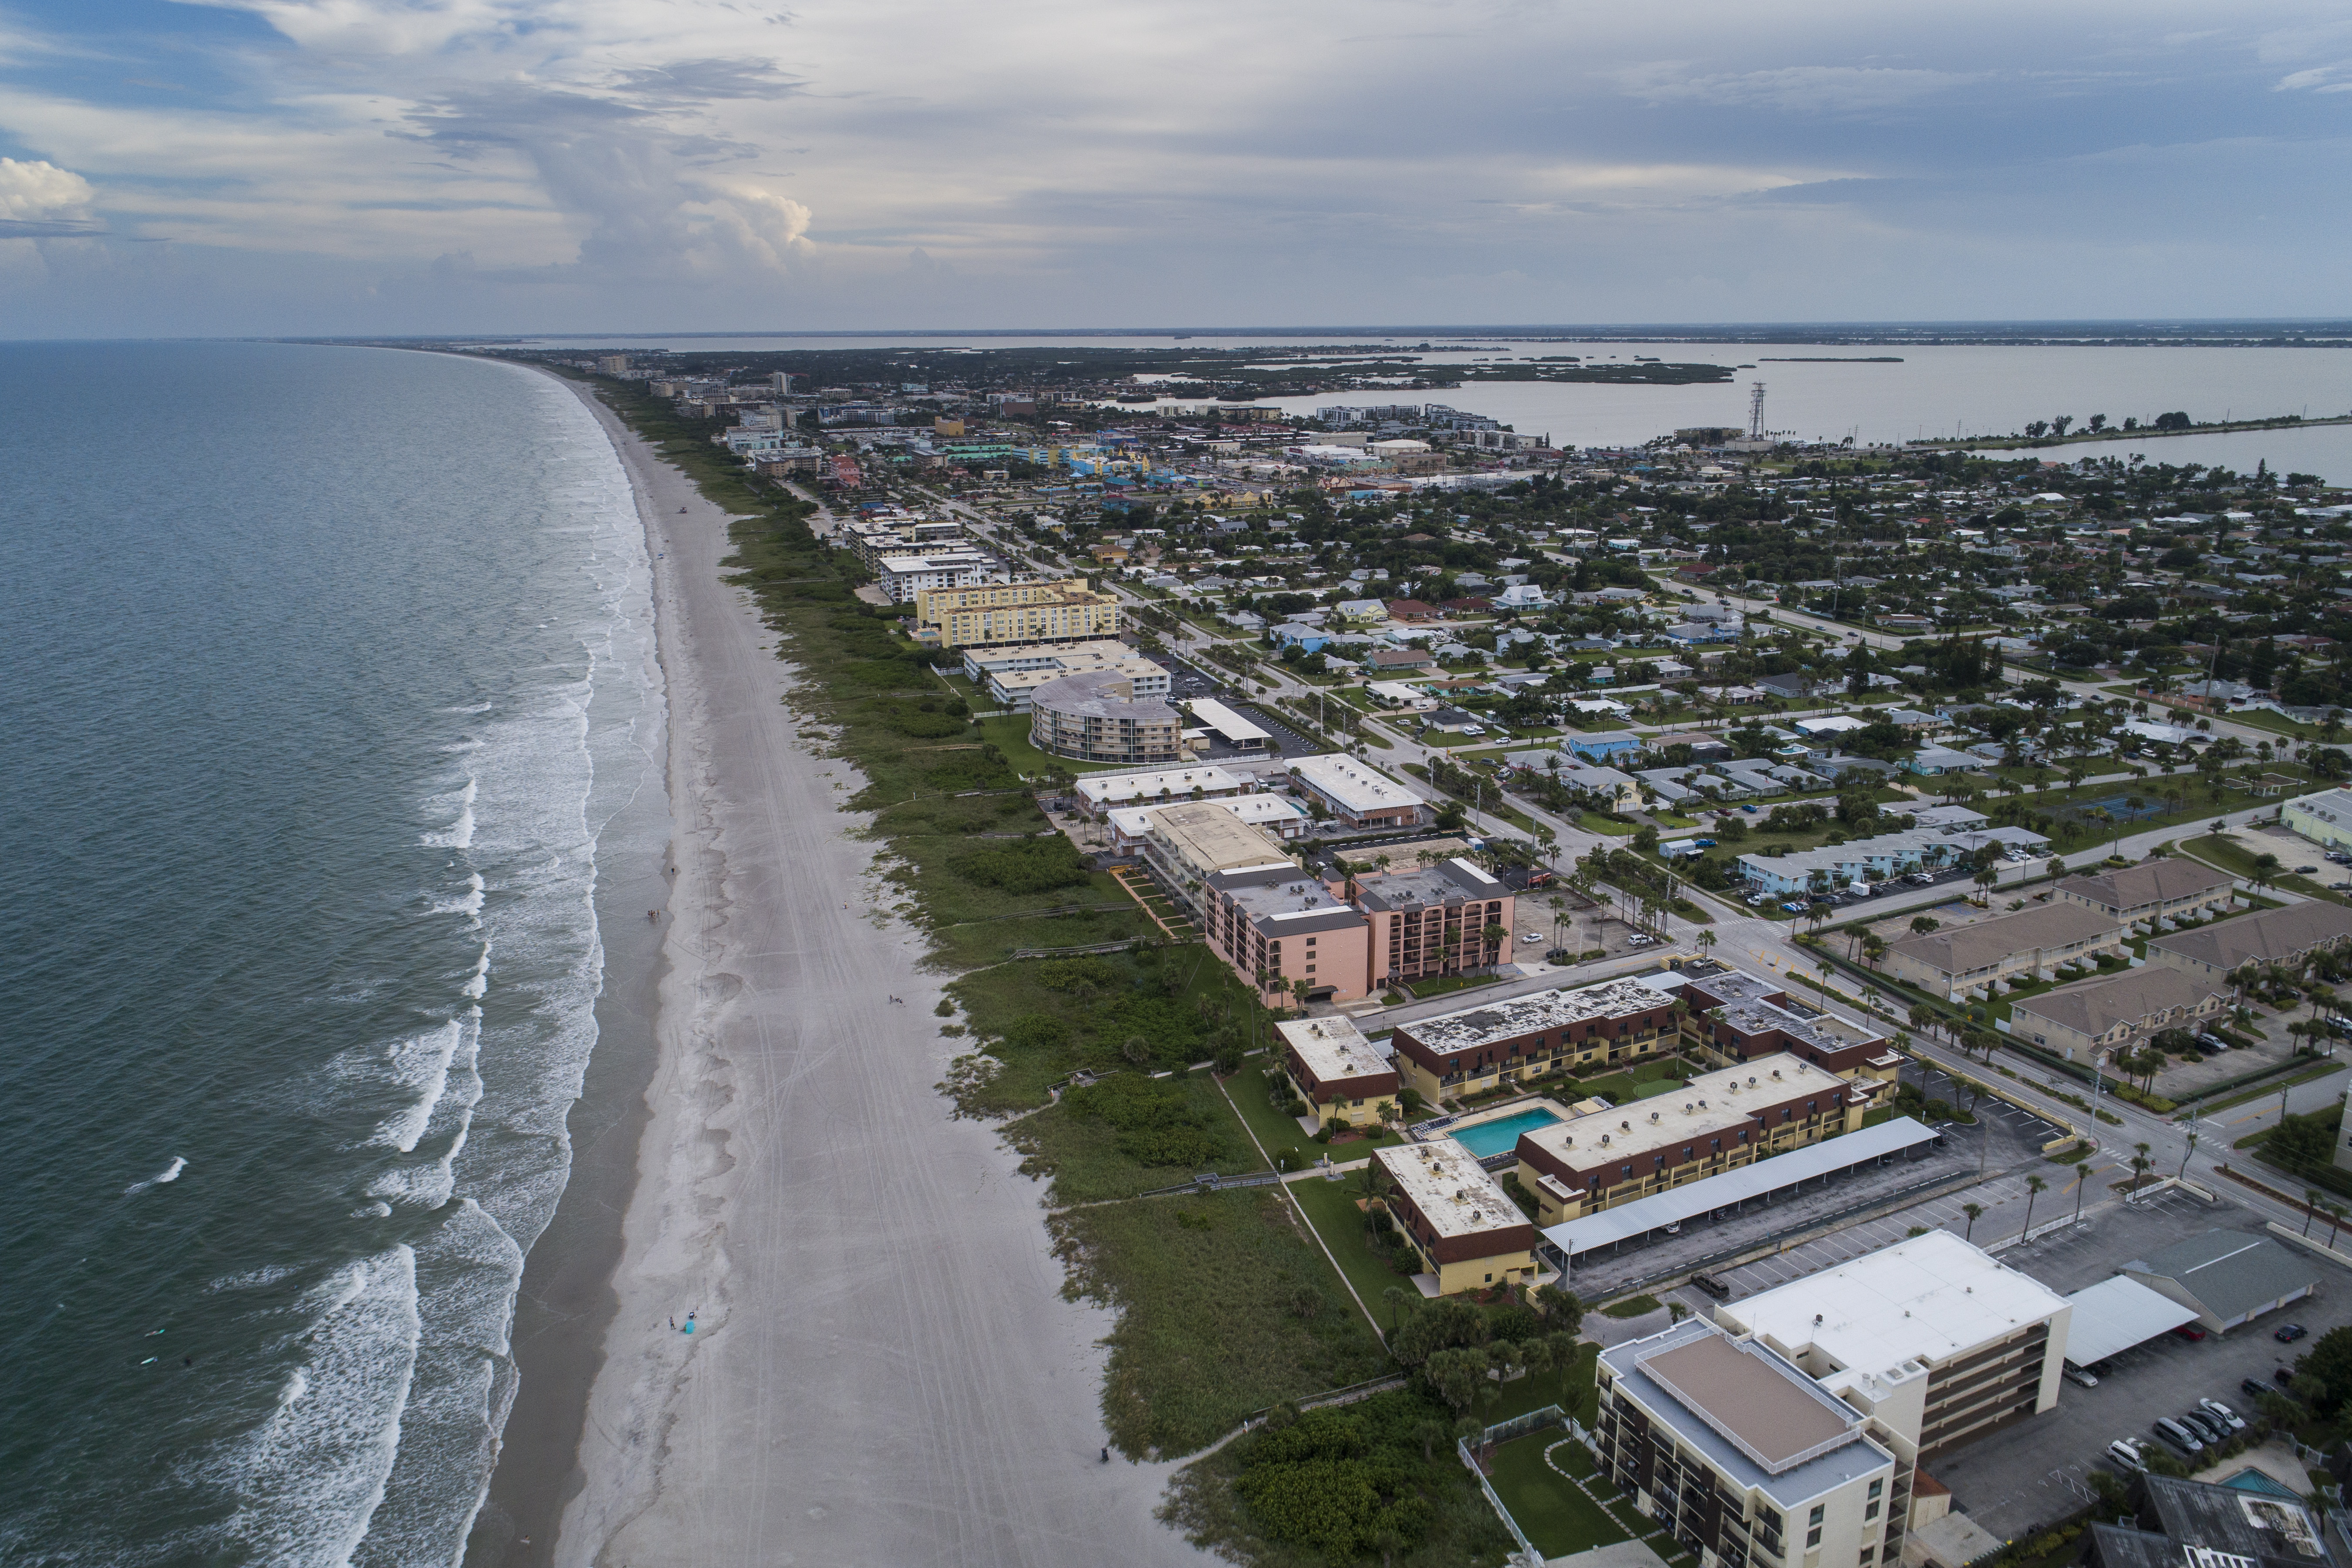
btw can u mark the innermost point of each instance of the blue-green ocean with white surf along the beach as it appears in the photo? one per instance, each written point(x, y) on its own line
point(328, 683)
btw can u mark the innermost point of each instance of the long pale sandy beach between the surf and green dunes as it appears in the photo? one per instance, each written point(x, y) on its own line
point(883, 1367)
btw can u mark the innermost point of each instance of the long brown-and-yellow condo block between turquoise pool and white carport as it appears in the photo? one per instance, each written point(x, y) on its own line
point(1716, 1123)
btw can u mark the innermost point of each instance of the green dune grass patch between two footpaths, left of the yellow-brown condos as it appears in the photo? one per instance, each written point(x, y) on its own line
point(1210, 1296)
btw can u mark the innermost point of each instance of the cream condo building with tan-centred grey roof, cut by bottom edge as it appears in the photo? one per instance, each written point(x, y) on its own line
point(1744, 1459)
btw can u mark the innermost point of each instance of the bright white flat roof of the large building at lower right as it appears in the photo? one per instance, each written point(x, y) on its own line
point(1927, 1299)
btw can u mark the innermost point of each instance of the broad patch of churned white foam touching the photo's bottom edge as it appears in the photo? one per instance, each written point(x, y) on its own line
point(309, 1480)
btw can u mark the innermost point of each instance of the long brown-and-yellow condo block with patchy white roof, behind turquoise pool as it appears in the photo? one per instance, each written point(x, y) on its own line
point(1523, 1040)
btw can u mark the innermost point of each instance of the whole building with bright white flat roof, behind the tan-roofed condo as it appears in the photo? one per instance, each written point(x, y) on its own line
point(1932, 1339)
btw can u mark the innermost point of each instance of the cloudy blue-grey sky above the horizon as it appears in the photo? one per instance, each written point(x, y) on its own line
point(307, 168)
